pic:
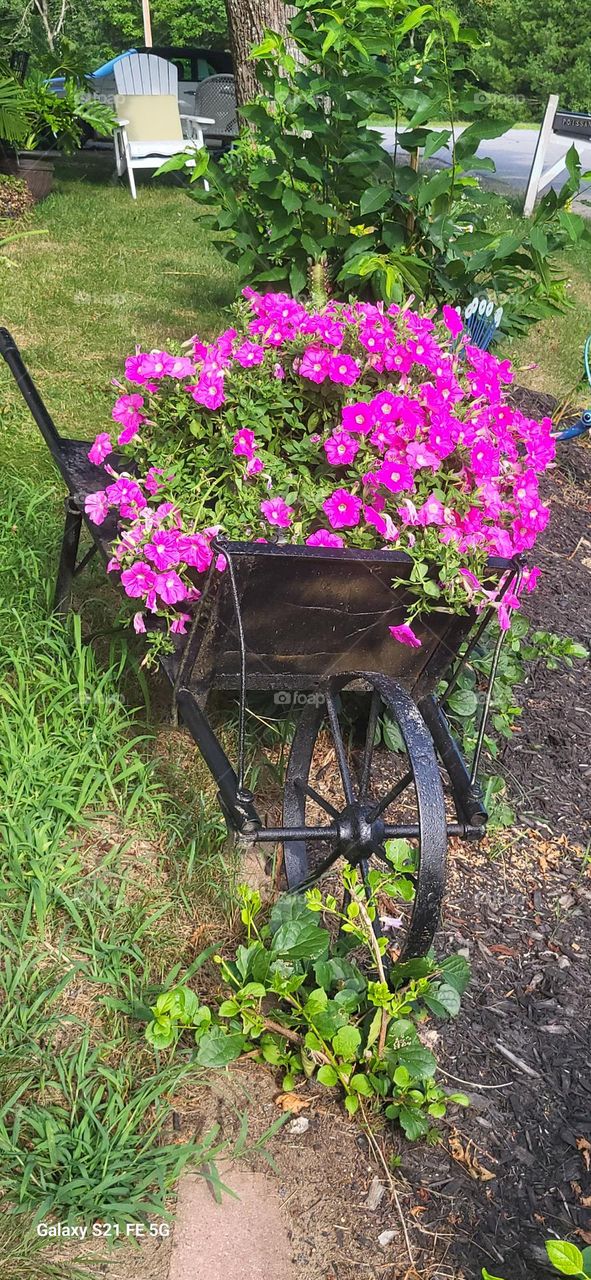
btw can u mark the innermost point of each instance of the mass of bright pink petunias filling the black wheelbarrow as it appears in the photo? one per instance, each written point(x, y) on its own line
point(416, 440)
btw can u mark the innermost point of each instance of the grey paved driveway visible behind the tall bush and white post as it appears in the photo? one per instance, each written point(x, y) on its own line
point(514, 154)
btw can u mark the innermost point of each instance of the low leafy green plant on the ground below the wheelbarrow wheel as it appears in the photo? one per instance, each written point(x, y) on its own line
point(310, 1007)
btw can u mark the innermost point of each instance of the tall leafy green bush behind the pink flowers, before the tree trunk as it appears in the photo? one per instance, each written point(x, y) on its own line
point(314, 184)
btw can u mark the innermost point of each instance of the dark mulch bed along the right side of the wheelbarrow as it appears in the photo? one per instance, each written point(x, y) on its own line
point(523, 913)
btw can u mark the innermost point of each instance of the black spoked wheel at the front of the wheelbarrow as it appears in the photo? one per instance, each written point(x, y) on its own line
point(355, 817)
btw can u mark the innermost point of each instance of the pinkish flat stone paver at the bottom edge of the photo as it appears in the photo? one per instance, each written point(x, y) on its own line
point(240, 1240)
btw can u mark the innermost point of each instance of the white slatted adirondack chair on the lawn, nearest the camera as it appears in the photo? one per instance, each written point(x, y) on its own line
point(150, 127)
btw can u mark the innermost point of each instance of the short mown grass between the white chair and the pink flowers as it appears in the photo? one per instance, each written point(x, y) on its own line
point(111, 273)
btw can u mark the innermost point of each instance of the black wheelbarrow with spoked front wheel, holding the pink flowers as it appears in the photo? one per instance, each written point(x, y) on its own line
point(309, 625)
